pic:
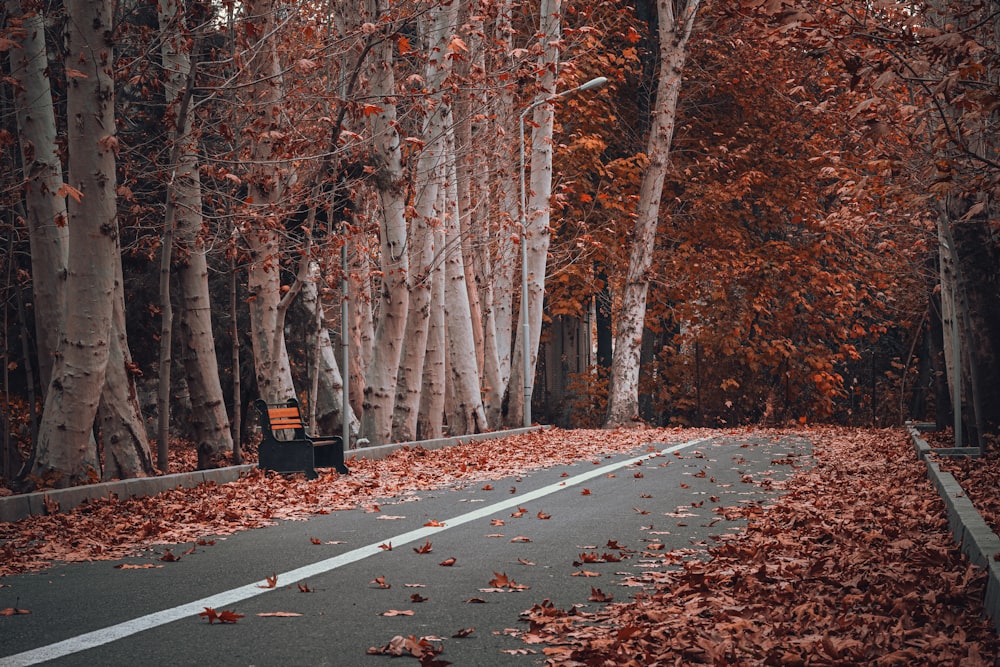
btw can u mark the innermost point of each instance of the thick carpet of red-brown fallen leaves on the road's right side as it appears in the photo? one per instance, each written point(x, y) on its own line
point(855, 565)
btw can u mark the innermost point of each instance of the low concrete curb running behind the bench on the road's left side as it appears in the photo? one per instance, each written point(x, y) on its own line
point(20, 506)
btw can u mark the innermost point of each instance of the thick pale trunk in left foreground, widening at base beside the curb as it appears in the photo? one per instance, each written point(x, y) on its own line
point(65, 454)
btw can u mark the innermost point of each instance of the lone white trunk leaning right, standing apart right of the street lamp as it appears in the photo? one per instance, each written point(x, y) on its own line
point(674, 33)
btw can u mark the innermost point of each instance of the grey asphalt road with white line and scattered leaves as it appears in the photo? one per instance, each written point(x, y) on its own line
point(534, 529)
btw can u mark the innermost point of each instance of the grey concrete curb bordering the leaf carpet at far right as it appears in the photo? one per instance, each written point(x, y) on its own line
point(978, 541)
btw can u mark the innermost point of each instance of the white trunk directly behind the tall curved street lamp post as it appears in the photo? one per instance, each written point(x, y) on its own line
point(537, 234)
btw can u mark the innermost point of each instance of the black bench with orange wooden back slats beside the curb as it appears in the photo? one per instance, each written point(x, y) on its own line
point(288, 447)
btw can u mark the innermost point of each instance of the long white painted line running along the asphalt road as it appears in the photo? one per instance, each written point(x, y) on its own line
point(156, 619)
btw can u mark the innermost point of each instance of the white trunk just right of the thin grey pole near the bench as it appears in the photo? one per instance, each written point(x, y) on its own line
point(380, 391)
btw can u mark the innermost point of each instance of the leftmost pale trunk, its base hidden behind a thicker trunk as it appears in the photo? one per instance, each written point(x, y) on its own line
point(44, 200)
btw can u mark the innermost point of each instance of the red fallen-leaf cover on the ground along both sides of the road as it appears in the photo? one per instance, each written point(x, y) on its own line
point(854, 564)
